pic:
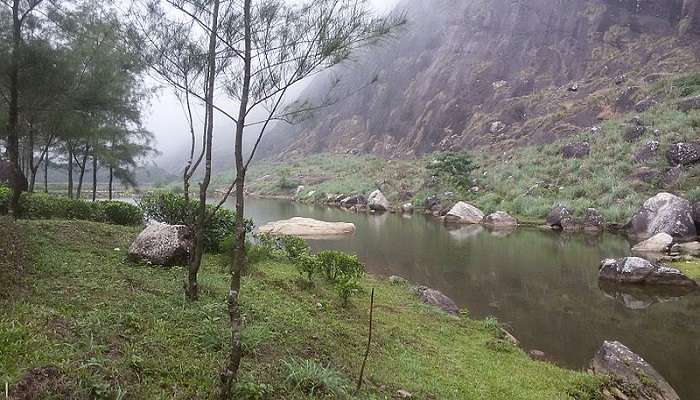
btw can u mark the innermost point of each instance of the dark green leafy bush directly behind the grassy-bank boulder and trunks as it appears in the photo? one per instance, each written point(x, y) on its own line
point(174, 209)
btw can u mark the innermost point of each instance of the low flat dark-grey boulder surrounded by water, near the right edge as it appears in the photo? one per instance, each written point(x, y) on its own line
point(635, 270)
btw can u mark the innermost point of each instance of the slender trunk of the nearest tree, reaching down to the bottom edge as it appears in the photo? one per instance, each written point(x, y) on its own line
point(239, 259)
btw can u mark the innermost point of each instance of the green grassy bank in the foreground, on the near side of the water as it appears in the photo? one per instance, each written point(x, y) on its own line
point(92, 325)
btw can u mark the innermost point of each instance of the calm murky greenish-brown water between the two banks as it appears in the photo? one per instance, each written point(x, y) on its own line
point(543, 285)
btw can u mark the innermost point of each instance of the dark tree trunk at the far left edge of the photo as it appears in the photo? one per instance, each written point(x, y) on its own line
point(13, 111)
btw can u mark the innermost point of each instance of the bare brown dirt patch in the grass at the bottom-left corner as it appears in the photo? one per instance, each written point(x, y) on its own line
point(41, 383)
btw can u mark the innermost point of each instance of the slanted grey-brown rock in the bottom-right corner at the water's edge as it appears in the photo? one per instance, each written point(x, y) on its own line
point(632, 371)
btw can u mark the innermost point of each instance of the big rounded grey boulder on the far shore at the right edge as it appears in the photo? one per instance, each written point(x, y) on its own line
point(663, 213)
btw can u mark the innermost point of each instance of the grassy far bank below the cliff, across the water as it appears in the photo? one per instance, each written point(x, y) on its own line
point(525, 181)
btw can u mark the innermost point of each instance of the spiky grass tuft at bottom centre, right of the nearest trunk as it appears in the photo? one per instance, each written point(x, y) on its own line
point(312, 378)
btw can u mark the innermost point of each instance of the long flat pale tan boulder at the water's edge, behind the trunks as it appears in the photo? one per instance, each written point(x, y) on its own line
point(307, 227)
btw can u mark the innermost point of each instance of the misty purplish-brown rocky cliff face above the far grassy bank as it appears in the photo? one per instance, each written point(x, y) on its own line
point(497, 74)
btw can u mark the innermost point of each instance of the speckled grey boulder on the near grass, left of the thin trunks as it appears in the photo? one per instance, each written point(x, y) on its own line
point(163, 244)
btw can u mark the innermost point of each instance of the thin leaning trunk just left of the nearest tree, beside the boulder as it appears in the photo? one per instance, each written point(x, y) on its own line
point(191, 288)
